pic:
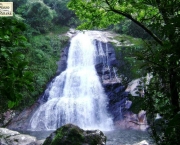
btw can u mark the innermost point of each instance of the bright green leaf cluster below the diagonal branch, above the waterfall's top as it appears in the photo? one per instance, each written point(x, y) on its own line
point(93, 14)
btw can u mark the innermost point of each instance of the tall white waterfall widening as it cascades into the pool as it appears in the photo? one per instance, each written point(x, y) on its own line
point(76, 95)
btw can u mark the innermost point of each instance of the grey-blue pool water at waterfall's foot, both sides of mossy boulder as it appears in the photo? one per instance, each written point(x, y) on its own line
point(115, 137)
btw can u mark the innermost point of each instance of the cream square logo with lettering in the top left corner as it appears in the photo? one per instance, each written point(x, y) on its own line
point(6, 9)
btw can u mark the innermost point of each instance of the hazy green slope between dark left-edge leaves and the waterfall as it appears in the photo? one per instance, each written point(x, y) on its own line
point(44, 52)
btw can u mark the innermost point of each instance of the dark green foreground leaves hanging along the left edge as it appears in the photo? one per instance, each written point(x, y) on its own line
point(14, 76)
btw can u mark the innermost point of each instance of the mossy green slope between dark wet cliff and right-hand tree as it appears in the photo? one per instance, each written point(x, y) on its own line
point(129, 67)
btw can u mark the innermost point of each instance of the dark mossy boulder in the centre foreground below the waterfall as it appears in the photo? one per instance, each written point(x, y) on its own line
point(70, 134)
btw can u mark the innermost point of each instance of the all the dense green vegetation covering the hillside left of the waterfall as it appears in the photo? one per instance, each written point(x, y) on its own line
point(30, 44)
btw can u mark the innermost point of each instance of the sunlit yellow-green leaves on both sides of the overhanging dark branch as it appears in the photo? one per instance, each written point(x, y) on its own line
point(97, 13)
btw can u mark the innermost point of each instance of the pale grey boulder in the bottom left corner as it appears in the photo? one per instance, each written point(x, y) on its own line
point(9, 137)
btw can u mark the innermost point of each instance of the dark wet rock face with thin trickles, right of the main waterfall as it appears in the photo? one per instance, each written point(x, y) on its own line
point(106, 69)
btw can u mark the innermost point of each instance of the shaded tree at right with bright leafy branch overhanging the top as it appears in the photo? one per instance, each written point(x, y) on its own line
point(160, 19)
